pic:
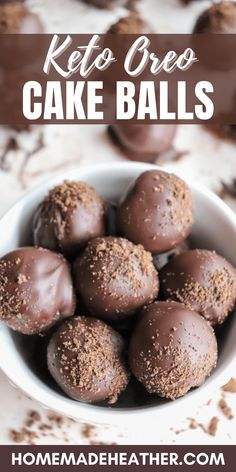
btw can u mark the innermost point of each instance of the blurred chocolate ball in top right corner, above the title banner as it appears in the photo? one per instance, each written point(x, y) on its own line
point(218, 18)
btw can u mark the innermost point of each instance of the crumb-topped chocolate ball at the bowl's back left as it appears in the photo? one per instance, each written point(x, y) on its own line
point(71, 214)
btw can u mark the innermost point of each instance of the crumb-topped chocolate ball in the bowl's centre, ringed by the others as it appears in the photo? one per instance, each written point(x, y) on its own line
point(115, 277)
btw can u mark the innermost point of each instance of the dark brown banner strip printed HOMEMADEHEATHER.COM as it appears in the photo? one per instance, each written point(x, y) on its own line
point(101, 457)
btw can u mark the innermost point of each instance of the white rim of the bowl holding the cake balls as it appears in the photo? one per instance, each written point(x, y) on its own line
point(89, 412)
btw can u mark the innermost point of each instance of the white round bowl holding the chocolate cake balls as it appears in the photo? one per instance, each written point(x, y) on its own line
point(214, 228)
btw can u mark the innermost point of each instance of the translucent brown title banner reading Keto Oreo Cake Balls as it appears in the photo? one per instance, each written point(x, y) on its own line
point(115, 77)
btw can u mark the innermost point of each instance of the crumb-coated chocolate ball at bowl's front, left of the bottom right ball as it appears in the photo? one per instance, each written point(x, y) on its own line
point(86, 359)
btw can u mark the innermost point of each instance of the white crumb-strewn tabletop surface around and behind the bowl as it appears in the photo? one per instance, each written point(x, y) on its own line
point(208, 160)
